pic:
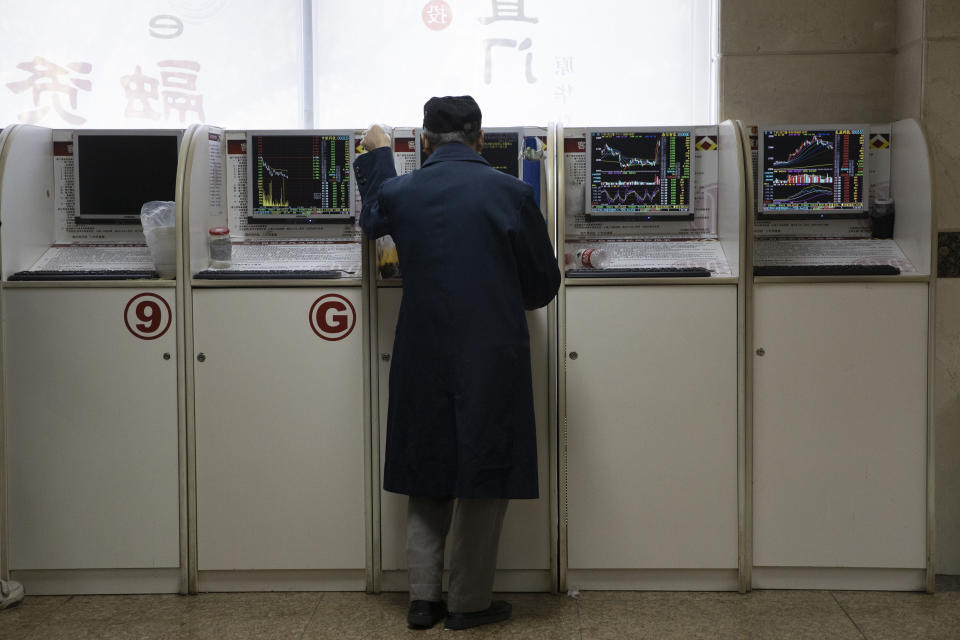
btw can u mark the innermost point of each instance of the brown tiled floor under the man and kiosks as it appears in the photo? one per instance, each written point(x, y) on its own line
point(593, 616)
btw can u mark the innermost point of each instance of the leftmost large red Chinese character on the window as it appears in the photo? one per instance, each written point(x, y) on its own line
point(50, 87)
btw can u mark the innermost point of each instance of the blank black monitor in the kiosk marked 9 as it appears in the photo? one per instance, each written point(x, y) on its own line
point(118, 171)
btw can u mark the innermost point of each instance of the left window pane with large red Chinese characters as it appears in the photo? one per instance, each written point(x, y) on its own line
point(116, 63)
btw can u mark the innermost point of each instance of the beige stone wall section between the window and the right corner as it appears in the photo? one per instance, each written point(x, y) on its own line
point(819, 60)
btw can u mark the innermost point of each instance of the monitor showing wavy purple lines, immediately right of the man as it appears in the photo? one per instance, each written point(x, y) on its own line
point(639, 174)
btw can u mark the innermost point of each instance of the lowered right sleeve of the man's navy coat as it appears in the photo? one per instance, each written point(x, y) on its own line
point(536, 262)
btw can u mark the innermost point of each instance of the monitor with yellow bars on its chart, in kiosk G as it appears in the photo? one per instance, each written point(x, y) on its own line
point(300, 176)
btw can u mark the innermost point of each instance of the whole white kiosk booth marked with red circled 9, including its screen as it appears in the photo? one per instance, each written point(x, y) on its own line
point(92, 342)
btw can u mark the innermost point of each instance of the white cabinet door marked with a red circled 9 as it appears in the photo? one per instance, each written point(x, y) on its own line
point(91, 420)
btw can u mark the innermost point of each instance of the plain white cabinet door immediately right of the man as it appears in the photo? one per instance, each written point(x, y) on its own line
point(652, 427)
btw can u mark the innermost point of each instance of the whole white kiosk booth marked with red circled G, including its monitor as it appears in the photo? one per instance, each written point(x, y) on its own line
point(278, 402)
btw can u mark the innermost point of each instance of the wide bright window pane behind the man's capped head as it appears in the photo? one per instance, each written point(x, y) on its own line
point(525, 61)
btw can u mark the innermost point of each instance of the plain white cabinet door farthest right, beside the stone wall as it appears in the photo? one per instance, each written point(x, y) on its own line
point(840, 399)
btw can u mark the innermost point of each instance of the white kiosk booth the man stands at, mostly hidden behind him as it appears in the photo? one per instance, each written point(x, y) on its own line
point(528, 541)
